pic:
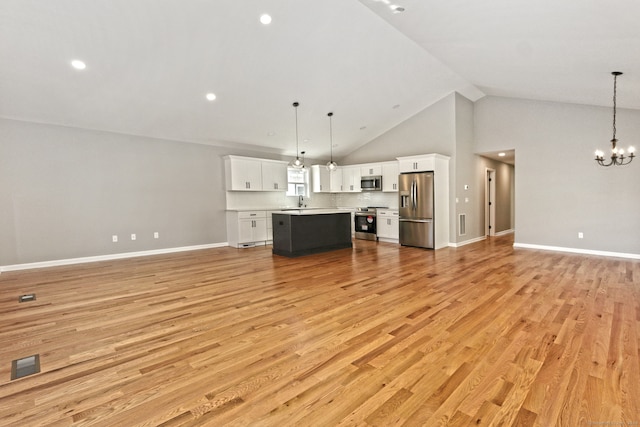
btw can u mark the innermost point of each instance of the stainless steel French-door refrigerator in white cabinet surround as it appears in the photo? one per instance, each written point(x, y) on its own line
point(415, 190)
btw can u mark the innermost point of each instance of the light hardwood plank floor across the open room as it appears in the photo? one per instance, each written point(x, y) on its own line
point(379, 335)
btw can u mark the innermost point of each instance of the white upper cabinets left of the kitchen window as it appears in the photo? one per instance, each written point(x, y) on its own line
point(250, 174)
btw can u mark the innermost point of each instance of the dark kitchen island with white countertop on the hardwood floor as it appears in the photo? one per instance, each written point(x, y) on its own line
point(301, 232)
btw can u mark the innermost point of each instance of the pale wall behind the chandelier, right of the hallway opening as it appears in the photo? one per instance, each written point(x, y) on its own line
point(559, 188)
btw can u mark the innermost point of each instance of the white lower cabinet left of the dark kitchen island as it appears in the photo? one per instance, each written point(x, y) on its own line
point(246, 228)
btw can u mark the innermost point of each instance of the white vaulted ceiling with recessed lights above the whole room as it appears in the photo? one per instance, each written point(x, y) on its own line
point(151, 62)
